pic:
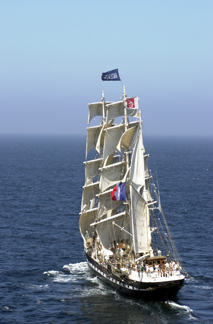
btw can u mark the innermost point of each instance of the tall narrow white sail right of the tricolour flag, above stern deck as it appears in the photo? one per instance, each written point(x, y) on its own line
point(140, 222)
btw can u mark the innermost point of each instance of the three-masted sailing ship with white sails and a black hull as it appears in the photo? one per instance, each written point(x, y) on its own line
point(126, 238)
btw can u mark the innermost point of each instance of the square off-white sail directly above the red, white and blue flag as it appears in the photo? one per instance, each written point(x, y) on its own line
point(111, 175)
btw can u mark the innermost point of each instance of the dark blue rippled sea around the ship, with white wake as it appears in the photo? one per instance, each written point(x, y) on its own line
point(44, 276)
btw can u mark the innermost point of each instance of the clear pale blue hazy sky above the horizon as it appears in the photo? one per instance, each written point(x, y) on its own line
point(52, 55)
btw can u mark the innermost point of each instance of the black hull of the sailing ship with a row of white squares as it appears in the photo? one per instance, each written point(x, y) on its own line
point(147, 291)
